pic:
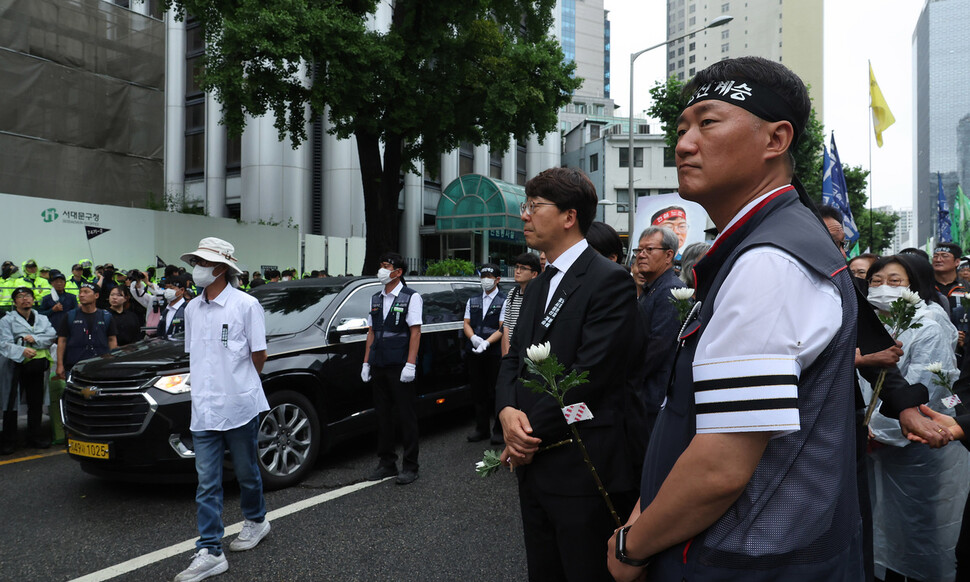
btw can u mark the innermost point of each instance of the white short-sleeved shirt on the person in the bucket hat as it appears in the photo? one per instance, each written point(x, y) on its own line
point(220, 338)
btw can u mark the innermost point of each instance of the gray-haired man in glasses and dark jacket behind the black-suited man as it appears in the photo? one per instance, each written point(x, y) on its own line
point(658, 316)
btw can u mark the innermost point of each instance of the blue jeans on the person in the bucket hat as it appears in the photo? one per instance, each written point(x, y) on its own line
point(210, 446)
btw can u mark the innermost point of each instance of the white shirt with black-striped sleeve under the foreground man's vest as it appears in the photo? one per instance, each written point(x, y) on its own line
point(772, 317)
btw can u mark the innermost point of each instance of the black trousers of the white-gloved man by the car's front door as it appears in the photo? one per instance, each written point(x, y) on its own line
point(395, 399)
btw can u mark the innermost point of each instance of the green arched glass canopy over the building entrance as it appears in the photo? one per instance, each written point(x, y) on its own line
point(475, 203)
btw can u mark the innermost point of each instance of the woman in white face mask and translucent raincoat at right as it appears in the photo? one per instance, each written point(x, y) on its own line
point(917, 491)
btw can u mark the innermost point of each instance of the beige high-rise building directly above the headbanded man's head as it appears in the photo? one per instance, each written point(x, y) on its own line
point(787, 31)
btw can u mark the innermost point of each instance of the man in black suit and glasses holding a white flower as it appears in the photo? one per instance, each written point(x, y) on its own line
point(583, 305)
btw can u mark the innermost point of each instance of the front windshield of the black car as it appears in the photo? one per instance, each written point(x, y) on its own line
point(293, 309)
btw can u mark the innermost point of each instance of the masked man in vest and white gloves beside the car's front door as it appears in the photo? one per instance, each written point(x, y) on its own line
point(390, 356)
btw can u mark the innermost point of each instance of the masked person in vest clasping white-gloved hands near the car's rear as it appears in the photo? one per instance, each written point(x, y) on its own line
point(484, 315)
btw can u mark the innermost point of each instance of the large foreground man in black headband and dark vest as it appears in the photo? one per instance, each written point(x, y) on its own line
point(750, 472)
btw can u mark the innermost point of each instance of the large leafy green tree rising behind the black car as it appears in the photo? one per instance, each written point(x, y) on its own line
point(444, 73)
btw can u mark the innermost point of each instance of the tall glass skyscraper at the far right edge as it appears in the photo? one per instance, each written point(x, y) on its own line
point(942, 128)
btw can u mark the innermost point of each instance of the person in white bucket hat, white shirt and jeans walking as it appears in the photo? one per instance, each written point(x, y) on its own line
point(225, 336)
